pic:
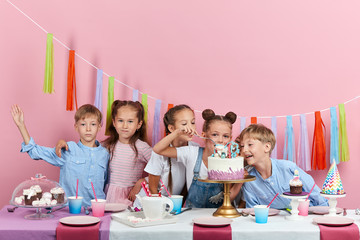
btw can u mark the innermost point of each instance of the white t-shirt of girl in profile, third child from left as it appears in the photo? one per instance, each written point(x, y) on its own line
point(159, 165)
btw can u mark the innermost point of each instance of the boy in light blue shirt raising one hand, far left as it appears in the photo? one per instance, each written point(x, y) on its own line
point(86, 160)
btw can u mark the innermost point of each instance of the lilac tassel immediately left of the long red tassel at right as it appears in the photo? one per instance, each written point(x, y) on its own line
point(304, 159)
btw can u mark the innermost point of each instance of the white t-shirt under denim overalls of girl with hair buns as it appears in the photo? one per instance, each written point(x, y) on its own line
point(188, 156)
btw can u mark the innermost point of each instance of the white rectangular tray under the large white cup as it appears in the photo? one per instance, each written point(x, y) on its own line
point(137, 219)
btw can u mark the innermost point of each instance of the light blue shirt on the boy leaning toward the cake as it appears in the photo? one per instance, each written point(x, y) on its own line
point(261, 191)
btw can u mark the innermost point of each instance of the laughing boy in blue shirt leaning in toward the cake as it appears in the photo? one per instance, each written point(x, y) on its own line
point(272, 175)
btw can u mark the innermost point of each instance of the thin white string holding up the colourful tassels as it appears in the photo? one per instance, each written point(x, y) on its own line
point(128, 86)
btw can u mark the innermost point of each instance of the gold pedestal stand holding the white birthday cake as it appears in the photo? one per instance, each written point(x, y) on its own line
point(227, 210)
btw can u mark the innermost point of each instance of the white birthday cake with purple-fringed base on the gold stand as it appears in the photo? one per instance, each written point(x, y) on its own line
point(225, 163)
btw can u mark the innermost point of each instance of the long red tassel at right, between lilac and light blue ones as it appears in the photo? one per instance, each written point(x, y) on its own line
point(318, 158)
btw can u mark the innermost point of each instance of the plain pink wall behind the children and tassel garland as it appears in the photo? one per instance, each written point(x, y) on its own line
point(256, 58)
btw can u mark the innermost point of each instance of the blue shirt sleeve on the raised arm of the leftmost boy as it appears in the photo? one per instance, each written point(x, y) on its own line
point(37, 152)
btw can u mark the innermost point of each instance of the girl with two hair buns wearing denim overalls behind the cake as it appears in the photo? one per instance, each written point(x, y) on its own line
point(219, 129)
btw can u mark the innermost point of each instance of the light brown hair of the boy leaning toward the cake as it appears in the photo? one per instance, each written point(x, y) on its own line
point(258, 132)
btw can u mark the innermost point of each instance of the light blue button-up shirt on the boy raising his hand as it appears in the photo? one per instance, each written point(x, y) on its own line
point(80, 162)
